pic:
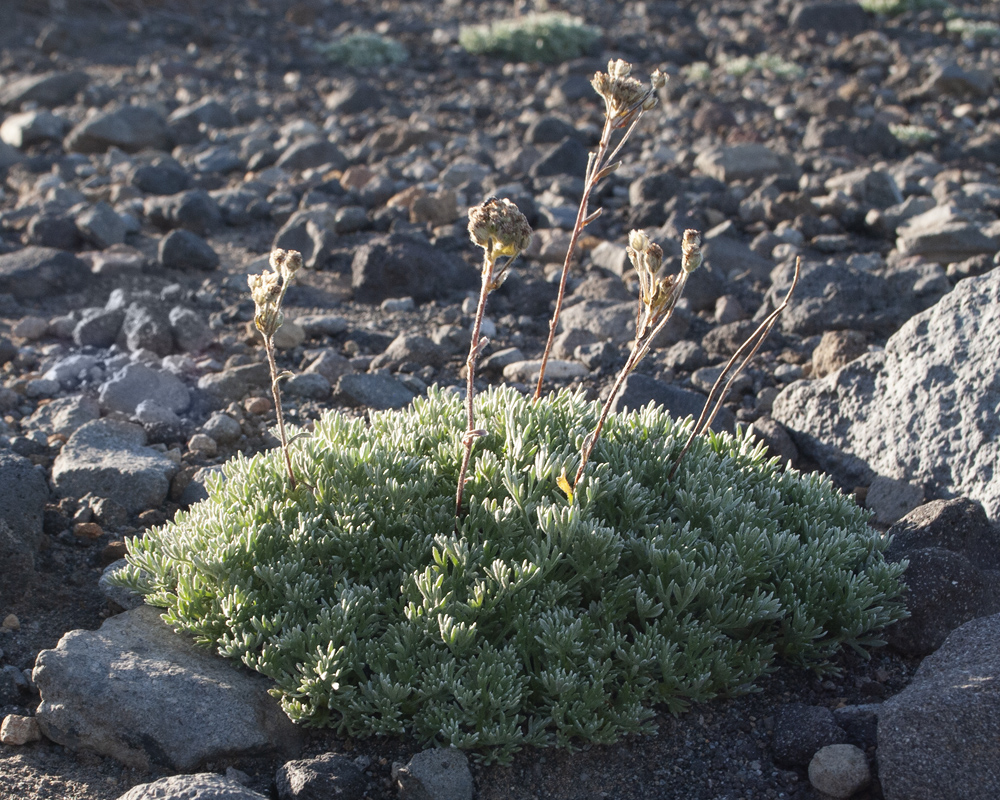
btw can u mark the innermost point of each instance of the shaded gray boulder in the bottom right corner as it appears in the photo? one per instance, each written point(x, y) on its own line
point(937, 738)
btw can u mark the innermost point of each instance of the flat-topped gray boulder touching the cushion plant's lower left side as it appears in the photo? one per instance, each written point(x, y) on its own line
point(138, 692)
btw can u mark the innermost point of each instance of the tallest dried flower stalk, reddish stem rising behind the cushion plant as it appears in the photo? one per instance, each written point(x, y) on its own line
point(625, 99)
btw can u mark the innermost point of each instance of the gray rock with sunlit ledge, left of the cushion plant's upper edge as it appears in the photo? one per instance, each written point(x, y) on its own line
point(109, 459)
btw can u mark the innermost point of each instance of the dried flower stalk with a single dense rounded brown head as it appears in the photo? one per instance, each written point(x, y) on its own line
point(502, 231)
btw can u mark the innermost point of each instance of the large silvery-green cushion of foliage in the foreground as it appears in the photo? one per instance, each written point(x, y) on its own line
point(537, 621)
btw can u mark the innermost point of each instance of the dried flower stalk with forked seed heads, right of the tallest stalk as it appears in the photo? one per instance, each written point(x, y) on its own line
point(658, 296)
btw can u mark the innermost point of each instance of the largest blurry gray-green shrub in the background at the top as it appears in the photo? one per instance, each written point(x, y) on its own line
point(549, 37)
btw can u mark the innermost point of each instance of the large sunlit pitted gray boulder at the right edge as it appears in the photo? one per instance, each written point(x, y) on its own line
point(923, 410)
